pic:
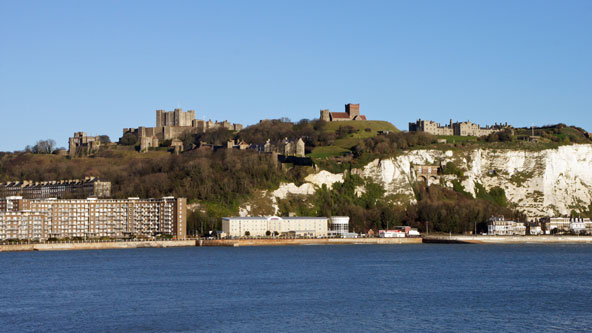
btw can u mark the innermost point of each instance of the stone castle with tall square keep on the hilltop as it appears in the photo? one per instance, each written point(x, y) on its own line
point(171, 125)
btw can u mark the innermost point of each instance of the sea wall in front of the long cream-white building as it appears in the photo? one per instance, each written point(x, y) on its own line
point(306, 241)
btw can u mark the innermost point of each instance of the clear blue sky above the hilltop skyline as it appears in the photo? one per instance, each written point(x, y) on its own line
point(100, 66)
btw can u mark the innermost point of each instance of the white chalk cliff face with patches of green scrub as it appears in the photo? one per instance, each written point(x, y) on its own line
point(541, 183)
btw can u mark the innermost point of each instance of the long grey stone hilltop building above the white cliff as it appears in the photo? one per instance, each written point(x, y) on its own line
point(465, 128)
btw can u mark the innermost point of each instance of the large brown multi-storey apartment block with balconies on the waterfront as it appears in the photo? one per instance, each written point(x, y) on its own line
point(43, 219)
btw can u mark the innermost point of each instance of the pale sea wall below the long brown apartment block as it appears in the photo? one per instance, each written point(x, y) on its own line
point(94, 245)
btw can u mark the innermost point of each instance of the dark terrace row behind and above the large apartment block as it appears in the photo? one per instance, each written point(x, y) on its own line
point(71, 188)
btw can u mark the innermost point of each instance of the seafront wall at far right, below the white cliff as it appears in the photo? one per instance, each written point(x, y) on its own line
point(461, 239)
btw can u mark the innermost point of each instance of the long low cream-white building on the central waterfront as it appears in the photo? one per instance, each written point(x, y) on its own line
point(260, 225)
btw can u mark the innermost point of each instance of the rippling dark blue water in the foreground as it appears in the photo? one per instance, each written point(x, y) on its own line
point(307, 288)
